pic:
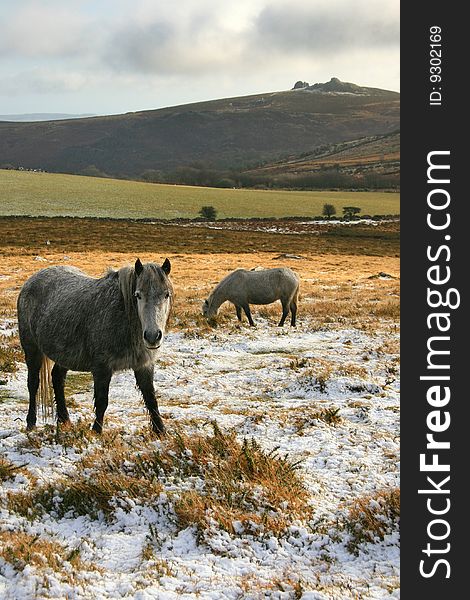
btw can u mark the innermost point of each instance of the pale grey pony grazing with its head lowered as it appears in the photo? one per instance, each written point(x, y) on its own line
point(243, 288)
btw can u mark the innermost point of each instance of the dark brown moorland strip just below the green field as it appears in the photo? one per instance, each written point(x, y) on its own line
point(22, 235)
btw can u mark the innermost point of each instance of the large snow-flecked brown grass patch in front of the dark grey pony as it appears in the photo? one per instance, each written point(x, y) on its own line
point(240, 482)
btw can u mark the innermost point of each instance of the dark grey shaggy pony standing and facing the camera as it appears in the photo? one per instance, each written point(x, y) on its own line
point(100, 325)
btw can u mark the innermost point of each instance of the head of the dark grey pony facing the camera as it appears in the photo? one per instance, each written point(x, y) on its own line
point(154, 297)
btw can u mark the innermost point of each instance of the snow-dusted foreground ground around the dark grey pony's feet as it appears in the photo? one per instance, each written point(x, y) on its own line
point(264, 383)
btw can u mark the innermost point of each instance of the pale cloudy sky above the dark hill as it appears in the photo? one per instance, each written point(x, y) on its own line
point(114, 56)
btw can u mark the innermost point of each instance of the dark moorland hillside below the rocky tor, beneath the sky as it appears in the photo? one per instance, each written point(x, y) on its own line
point(234, 132)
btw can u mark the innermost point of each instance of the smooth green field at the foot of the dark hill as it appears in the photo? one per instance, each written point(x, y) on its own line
point(50, 194)
